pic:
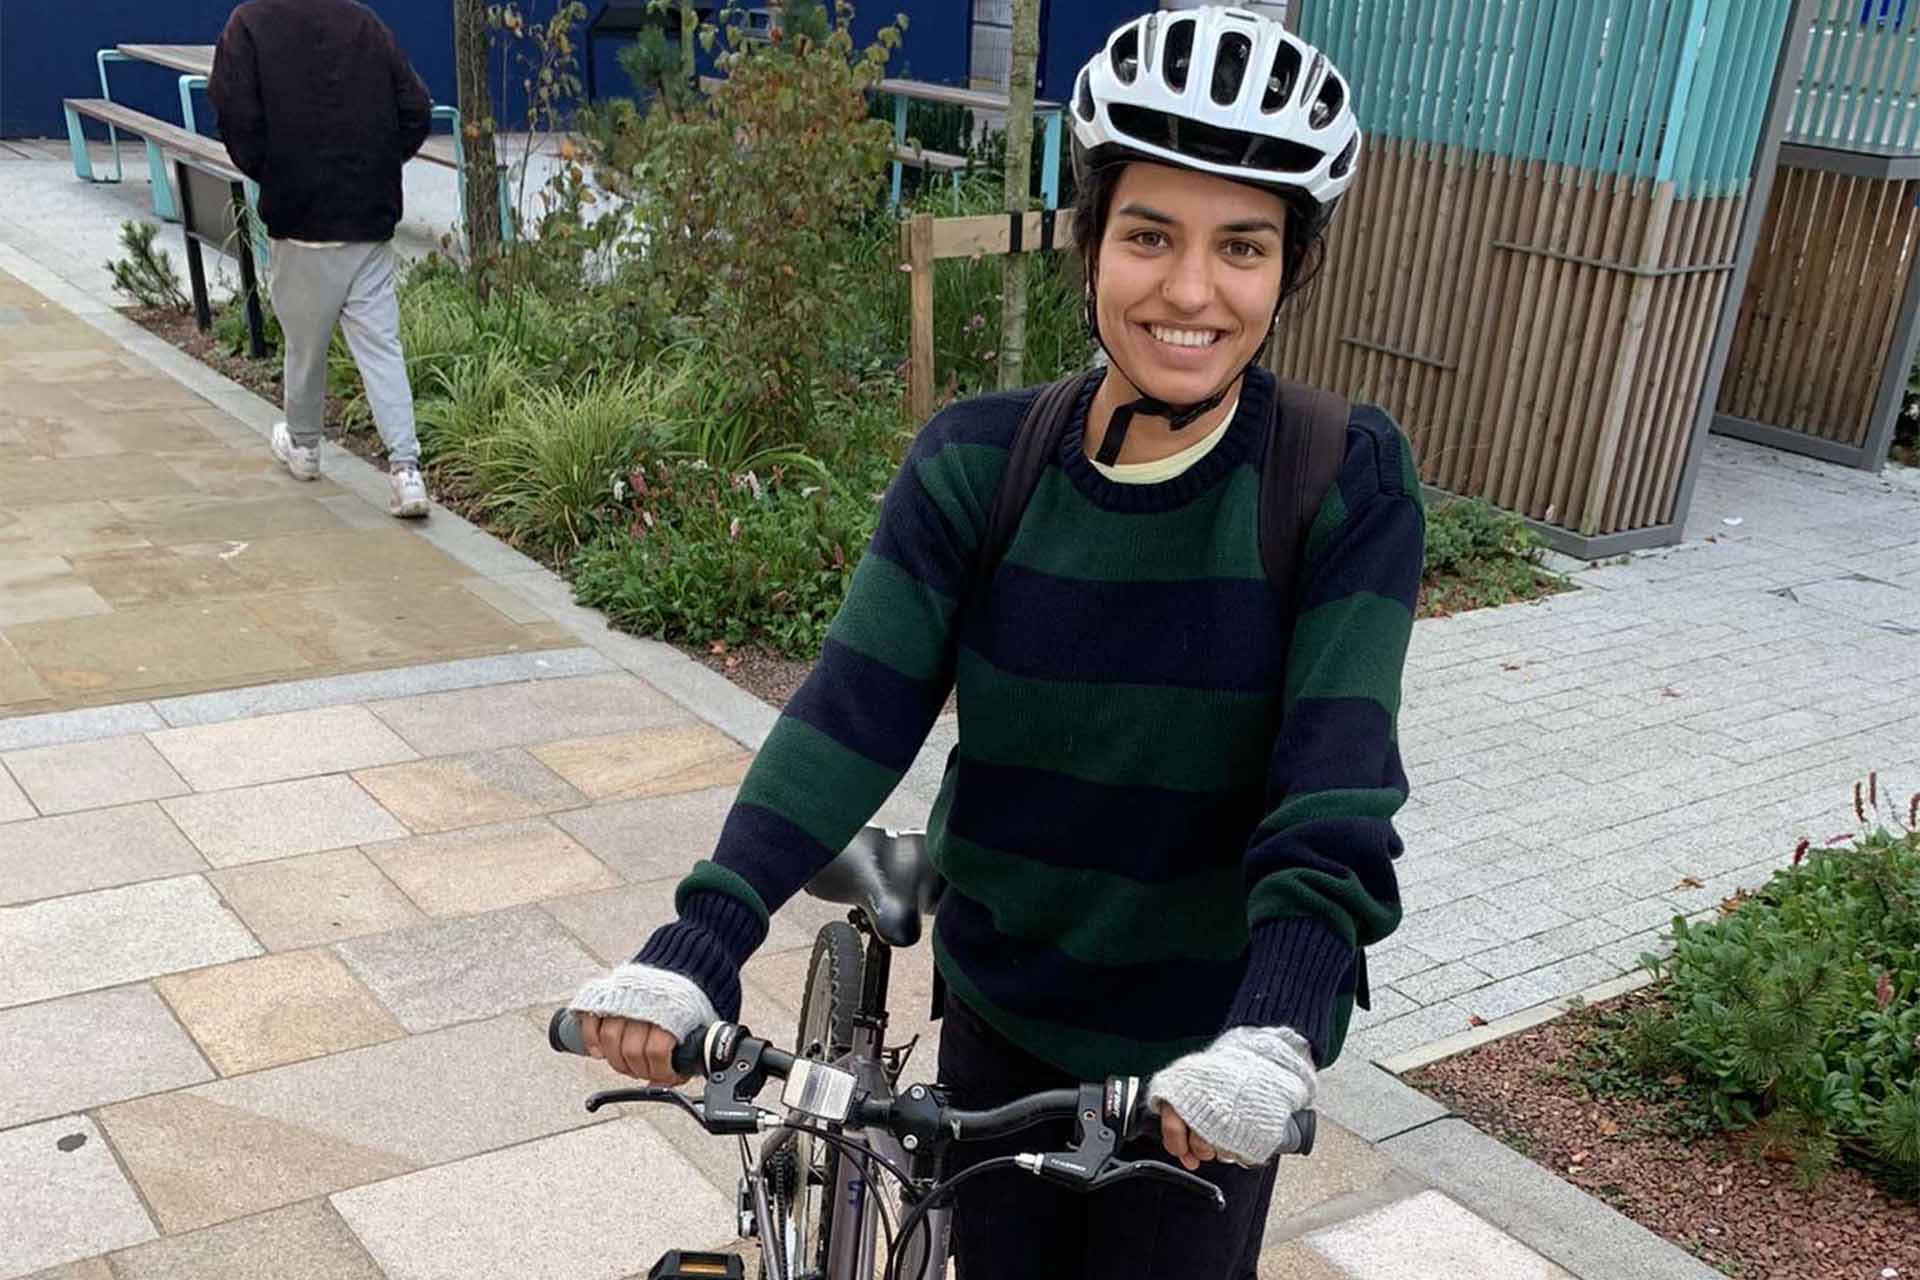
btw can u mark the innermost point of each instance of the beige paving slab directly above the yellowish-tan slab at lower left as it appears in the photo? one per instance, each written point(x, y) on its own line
point(297, 903)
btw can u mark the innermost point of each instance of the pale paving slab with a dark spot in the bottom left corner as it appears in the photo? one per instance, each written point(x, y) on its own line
point(62, 1198)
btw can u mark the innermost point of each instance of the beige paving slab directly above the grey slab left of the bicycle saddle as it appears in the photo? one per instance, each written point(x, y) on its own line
point(491, 868)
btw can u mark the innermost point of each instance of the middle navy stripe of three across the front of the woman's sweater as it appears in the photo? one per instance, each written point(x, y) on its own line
point(1140, 832)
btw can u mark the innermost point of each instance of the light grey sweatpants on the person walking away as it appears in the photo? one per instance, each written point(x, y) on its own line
point(350, 285)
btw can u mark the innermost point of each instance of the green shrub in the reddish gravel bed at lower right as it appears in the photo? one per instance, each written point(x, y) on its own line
point(1800, 1010)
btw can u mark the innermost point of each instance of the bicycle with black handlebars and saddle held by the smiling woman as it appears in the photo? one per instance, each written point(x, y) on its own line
point(811, 1195)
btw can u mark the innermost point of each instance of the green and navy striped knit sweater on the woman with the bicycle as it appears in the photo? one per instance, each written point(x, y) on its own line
point(1164, 817)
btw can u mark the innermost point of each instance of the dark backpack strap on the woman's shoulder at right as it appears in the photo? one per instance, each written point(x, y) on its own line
point(1303, 460)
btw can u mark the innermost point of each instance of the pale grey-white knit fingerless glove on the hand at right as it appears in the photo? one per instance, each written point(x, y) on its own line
point(1241, 1091)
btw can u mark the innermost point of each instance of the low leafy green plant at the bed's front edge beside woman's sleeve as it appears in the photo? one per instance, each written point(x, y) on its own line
point(713, 557)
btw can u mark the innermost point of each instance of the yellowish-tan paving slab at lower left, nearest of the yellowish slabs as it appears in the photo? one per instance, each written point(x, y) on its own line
point(276, 1010)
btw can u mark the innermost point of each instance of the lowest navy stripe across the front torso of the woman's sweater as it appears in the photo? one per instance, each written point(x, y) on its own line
point(1151, 1003)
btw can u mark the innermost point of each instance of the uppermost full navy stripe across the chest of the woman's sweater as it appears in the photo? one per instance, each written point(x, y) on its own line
point(1205, 634)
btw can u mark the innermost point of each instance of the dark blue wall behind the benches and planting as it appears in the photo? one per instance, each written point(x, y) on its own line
point(47, 47)
